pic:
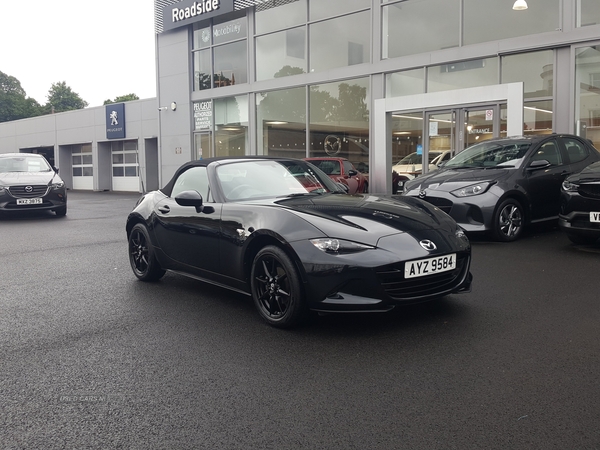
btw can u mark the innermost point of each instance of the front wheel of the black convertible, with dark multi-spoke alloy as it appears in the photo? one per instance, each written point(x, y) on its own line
point(276, 288)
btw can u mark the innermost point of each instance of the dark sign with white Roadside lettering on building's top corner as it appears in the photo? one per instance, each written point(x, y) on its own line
point(190, 11)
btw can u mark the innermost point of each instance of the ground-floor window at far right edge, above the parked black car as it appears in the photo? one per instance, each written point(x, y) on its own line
point(587, 94)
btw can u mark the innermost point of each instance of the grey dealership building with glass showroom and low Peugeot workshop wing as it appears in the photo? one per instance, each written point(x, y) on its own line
point(367, 80)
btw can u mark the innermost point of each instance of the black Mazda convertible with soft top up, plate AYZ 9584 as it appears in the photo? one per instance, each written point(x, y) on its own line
point(283, 232)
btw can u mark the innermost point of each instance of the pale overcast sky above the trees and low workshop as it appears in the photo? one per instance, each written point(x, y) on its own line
point(101, 50)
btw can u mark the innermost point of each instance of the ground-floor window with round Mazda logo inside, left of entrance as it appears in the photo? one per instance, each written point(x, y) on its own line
point(339, 120)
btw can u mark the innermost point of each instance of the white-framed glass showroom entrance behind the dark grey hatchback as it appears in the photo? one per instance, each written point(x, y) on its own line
point(394, 118)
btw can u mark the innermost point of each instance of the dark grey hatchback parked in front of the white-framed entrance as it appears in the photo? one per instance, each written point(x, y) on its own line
point(501, 185)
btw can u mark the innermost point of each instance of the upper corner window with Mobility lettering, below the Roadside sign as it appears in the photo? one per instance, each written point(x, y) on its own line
point(226, 41)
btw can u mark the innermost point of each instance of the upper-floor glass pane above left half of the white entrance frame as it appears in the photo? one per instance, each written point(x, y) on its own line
point(420, 26)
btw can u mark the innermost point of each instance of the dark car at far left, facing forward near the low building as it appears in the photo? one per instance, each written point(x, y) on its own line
point(28, 182)
